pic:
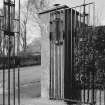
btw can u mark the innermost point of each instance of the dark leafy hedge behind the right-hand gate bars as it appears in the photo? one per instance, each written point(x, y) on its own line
point(90, 52)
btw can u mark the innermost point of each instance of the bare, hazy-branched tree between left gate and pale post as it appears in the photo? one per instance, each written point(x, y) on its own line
point(29, 15)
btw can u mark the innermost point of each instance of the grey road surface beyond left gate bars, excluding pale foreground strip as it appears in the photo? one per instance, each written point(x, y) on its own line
point(30, 83)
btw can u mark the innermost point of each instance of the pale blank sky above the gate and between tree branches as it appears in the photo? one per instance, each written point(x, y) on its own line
point(99, 6)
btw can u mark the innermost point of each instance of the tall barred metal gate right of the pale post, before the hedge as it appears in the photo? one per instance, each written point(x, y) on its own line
point(72, 65)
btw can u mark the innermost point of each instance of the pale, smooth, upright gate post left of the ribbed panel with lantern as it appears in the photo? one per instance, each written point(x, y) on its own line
point(45, 56)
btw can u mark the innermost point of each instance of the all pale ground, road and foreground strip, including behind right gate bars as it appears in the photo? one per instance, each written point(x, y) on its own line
point(31, 89)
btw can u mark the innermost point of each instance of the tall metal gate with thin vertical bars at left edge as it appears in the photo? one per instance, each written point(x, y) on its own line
point(9, 54)
